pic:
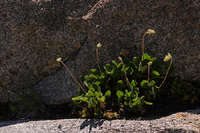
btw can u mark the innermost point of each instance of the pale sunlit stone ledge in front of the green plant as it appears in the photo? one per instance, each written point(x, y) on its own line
point(182, 122)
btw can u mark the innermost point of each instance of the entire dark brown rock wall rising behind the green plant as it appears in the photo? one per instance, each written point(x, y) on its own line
point(34, 33)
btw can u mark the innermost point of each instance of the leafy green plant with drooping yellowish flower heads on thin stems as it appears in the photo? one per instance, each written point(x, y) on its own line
point(123, 86)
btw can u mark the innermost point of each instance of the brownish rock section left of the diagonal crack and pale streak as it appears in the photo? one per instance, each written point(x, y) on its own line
point(33, 34)
